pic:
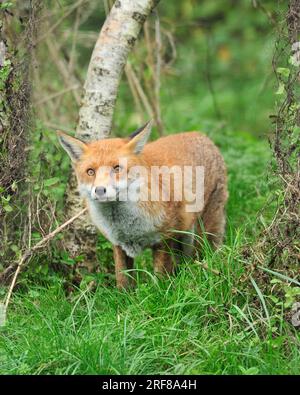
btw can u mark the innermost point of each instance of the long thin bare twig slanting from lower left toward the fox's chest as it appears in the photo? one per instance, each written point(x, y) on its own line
point(30, 251)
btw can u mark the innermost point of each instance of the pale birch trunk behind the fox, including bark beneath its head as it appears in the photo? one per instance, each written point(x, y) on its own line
point(115, 41)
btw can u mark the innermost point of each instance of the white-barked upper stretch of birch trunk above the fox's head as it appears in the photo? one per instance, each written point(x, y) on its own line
point(115, 41)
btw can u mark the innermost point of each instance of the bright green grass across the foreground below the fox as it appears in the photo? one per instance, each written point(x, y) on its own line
point(197, 323)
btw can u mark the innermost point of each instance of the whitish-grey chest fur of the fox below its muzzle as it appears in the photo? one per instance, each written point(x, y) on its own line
point(126, 224)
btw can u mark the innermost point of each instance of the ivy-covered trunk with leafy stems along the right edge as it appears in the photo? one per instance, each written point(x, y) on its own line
point(278, 246)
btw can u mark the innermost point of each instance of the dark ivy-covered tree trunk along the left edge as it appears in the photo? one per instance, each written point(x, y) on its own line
point(16, 38)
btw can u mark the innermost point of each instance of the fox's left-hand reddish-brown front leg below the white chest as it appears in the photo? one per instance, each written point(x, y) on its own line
point(122, 263)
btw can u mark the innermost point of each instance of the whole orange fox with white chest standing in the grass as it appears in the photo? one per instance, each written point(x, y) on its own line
point(116, 181)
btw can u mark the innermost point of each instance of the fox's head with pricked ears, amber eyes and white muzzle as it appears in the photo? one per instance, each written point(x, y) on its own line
point(102, 167)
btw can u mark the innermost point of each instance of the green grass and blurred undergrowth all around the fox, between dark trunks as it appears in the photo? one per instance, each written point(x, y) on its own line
point(218, 315)
